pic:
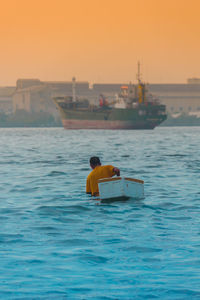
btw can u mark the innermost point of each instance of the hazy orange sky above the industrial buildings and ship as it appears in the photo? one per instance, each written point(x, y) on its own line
point(99, 41)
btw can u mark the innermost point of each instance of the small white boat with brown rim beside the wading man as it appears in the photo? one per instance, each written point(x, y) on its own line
point(119, 188)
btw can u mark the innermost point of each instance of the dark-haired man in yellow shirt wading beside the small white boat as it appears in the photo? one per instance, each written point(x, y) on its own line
point(98, 172)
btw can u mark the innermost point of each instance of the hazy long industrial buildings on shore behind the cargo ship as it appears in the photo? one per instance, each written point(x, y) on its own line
point(33, 95)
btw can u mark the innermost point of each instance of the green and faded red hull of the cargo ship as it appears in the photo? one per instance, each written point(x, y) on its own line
point(142, 117)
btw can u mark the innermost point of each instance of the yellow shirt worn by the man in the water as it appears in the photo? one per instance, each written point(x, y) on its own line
point(98, 173)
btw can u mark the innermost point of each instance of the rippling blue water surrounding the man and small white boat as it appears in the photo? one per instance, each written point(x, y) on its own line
point(57, 243)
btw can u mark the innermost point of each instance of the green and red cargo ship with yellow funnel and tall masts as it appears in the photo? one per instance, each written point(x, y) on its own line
point(133, 108)
